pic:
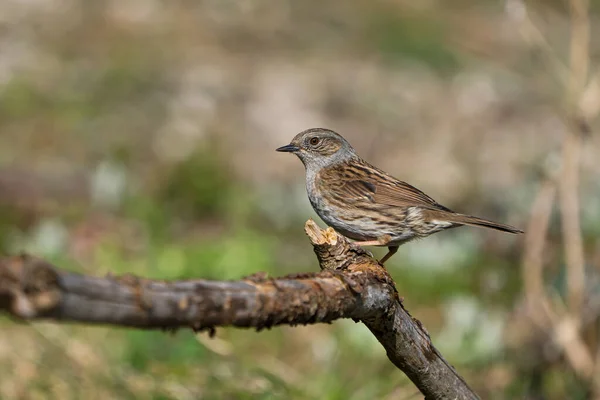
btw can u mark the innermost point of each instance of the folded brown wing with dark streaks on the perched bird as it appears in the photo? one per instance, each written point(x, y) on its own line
point(358, 181)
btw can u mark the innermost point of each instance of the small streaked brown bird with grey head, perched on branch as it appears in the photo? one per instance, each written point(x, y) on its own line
point(365, 203)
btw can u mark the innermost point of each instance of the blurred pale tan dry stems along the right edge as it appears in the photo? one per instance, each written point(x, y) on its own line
point(548, 310)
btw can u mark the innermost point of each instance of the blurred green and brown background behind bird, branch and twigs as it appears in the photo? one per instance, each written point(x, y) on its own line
point(138, 136)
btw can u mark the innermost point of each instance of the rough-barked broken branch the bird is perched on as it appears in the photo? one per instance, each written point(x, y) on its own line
point(351, 285)
